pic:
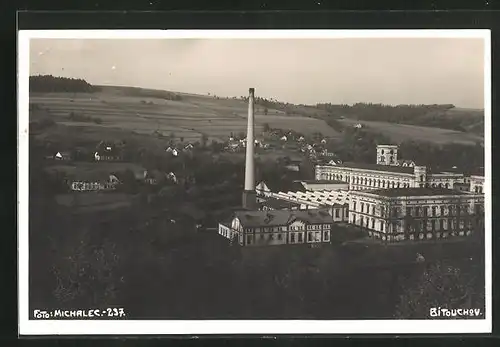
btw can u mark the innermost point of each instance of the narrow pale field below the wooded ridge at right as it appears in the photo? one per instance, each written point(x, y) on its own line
point(402, 132)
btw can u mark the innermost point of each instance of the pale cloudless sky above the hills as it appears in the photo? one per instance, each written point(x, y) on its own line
point(301, 71)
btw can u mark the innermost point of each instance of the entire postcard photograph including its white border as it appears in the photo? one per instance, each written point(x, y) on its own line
point(254, 182)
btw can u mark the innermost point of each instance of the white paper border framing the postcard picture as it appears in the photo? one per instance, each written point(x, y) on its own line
point(201, 327)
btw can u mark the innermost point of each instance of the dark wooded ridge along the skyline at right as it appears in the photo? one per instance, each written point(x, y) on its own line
point(440, 116)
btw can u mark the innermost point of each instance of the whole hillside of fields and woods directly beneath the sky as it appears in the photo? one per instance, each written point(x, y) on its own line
point(74, 102)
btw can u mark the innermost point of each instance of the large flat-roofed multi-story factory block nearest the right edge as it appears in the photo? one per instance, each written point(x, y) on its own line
point(416, 213)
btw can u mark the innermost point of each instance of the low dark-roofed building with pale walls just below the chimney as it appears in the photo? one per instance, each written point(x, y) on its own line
point(279, 227)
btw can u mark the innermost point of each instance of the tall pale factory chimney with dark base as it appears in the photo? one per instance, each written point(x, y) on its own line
point(249, 195)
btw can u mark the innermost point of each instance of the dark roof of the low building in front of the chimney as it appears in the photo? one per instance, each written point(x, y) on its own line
point(282, 217)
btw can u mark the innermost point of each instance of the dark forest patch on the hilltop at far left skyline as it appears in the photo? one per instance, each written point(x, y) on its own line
point(53, 84)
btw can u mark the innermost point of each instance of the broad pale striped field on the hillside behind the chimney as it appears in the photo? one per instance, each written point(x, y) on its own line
point(189, 118)
